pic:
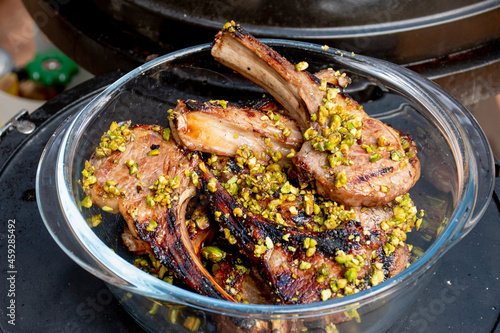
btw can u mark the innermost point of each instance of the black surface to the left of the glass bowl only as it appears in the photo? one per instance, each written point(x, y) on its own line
point(50, 292)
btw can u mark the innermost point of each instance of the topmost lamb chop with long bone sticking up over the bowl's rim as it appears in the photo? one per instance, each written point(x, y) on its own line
point(352, 158)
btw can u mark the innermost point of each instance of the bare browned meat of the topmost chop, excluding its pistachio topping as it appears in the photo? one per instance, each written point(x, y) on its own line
point(367, 183)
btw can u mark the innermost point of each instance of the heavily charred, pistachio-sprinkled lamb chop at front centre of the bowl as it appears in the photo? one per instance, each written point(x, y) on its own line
point(297, 263)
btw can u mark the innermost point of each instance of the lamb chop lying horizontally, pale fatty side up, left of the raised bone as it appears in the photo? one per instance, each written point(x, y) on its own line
point(221, 128)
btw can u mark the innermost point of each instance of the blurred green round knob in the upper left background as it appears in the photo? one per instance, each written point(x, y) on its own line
point(51, 68)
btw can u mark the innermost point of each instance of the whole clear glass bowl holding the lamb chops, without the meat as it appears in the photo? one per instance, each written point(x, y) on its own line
point(454, 189)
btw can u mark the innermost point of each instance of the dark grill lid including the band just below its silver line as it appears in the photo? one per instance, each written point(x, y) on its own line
point(401, 31)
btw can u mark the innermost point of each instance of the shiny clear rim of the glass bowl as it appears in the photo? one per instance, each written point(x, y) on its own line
point(123, 274)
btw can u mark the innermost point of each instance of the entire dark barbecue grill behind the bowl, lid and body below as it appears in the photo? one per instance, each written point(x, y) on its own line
point(455, 43)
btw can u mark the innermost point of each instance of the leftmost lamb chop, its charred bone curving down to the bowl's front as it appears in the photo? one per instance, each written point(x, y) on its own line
point(148, 182)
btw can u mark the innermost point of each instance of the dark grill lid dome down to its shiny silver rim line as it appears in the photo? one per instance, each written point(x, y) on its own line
point(299, 19)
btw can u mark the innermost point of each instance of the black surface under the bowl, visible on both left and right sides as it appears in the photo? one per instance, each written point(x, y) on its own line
point(53, 294)
